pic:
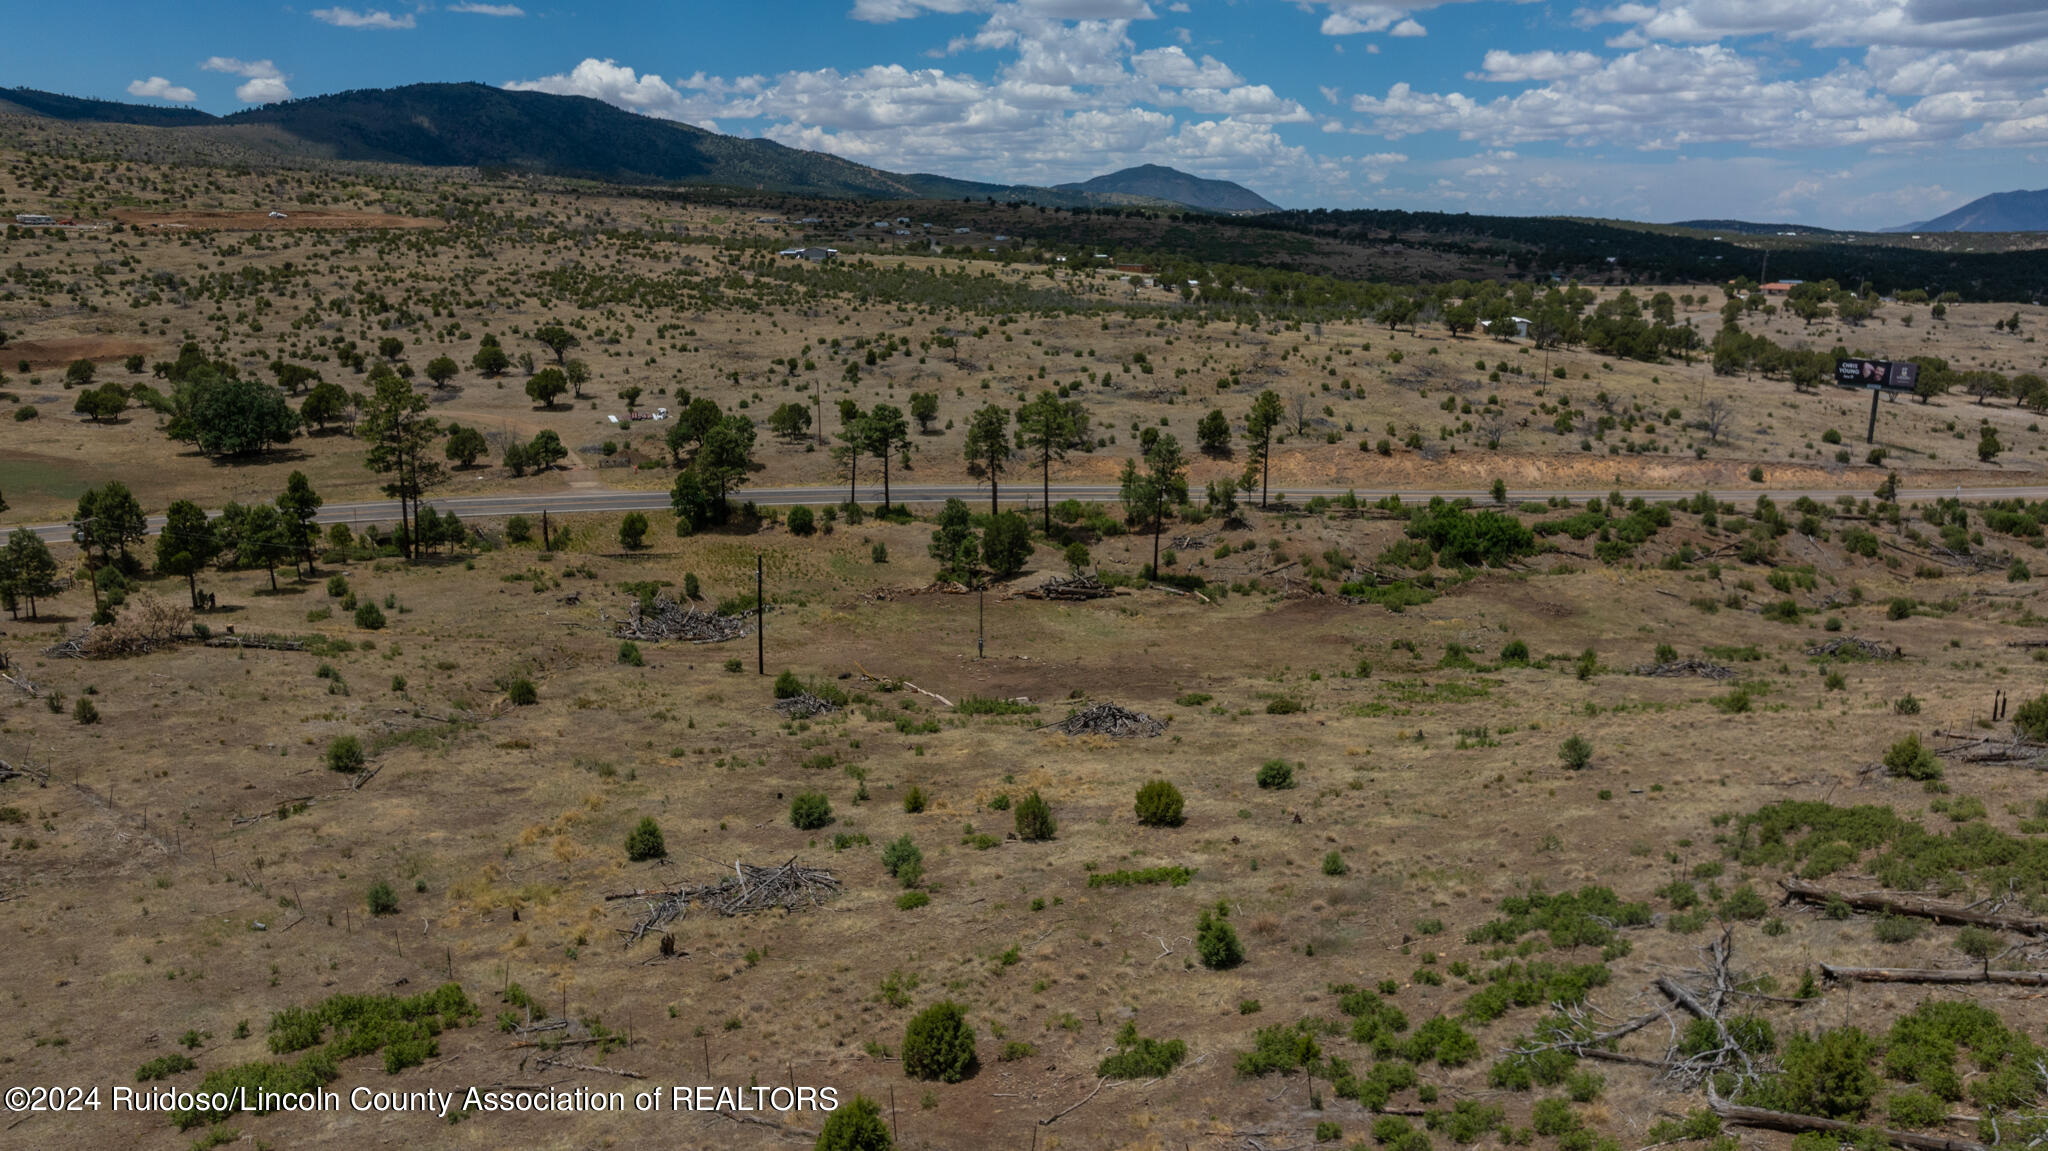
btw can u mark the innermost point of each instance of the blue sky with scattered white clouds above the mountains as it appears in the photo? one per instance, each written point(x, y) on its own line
point(1854, 114)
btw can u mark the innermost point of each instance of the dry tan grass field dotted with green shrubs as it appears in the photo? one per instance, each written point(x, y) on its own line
point(179, 865)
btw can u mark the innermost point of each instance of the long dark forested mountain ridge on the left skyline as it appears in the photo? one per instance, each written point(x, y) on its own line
point(577, 136)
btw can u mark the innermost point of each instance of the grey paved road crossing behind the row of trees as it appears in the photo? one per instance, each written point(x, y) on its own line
point(1017, 495)
